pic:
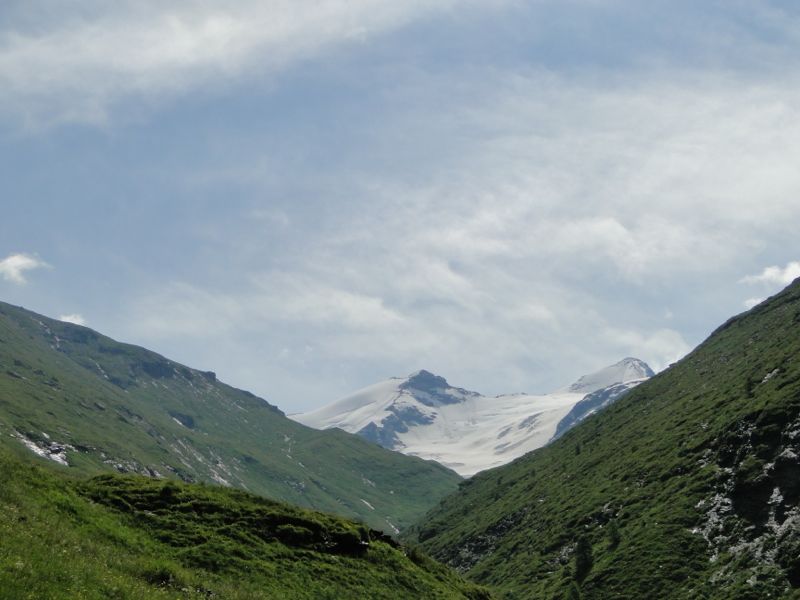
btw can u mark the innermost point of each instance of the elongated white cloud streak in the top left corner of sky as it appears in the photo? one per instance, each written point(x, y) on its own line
point(82, 60)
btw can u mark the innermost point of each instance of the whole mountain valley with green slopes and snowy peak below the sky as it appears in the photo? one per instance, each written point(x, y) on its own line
point(624, 484)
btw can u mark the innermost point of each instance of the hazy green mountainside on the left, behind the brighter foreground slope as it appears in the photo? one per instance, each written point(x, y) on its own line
point(82, 400)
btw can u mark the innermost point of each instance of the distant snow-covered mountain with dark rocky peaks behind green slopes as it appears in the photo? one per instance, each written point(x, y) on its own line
point(422, 415)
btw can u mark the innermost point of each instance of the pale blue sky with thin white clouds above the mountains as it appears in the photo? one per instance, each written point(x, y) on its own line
point(310, 196)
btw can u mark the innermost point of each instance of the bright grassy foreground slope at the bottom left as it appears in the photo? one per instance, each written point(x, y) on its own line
point(129, 536)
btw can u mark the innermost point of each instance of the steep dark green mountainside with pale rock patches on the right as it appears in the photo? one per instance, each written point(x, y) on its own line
point(686, 487)
